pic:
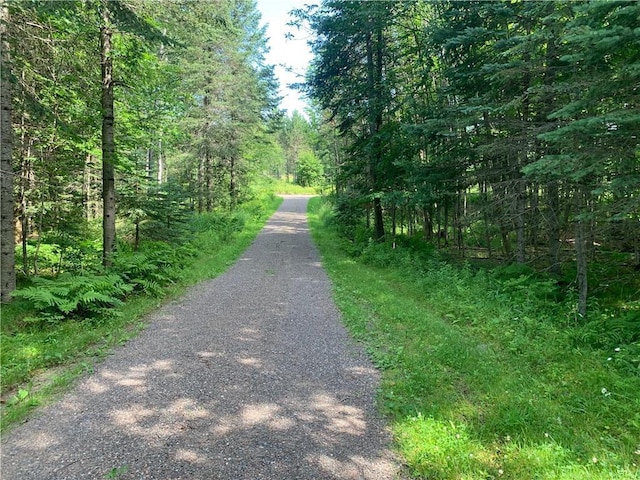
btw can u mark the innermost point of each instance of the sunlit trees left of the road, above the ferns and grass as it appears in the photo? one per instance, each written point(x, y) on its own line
point(130, 114)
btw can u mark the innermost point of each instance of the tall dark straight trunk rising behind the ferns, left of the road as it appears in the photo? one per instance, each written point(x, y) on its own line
point(108, 146)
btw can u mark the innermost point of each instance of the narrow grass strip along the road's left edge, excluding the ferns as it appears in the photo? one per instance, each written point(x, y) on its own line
point(38, 361)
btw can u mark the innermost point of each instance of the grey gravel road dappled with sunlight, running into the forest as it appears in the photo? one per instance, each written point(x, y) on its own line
point(248, 376)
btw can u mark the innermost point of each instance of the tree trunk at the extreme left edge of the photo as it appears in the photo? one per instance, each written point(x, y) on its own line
point(7, 238)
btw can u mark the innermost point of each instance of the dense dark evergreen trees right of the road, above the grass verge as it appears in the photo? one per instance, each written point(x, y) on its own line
point(509, 128)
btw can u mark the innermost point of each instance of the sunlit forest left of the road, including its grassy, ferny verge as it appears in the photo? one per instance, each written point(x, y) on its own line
point(141, 145)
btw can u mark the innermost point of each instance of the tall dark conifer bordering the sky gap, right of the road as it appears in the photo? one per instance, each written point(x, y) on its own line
point(349, 79)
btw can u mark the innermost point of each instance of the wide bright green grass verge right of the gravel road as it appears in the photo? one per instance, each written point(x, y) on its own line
point(484, 378)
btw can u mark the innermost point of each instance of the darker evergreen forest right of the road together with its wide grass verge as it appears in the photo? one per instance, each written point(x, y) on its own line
point(487, 208)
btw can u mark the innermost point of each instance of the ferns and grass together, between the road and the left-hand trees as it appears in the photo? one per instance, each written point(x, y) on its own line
point(57, 326)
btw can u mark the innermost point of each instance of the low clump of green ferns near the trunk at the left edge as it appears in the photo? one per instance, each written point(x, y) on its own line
point(74, 296)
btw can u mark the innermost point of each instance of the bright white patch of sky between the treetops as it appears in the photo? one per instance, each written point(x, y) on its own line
point(290, 57)
